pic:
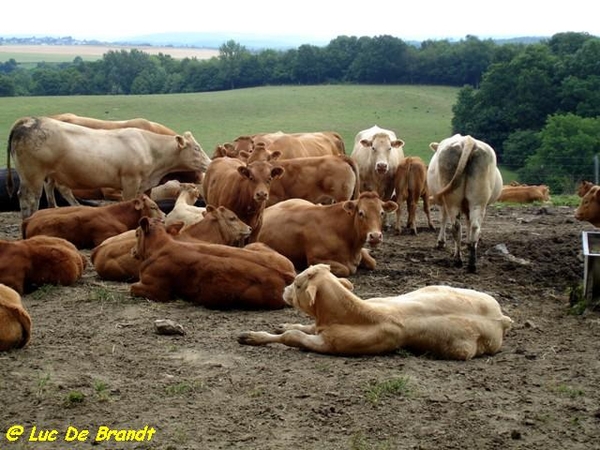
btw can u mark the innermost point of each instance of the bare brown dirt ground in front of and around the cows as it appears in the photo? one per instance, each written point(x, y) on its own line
point(95, 361)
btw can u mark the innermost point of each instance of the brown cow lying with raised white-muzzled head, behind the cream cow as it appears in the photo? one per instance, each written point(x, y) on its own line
point(332, 234)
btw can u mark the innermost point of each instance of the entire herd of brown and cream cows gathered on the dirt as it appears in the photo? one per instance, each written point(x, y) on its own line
point(271, 220)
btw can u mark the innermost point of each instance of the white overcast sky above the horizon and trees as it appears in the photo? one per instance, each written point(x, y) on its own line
point(315, 19)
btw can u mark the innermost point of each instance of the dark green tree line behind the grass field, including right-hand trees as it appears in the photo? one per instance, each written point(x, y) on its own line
point(536, 103)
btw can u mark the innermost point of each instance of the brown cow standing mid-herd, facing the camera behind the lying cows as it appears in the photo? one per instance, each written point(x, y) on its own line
point(242, 187)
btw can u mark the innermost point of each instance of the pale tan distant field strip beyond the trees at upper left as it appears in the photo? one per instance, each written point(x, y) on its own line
point(27, 54)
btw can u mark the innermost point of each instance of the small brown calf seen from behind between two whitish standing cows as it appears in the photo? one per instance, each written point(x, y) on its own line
point(410, 185)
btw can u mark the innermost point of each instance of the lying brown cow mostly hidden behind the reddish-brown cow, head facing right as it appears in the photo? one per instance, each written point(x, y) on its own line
point(113, 259)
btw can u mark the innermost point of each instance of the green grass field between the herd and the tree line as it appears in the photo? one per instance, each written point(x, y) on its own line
point(418, 114)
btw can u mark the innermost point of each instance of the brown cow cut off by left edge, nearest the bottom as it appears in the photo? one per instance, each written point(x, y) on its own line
point(15, 322)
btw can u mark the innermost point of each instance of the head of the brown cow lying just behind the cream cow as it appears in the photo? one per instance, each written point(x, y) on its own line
point(369, 212)
